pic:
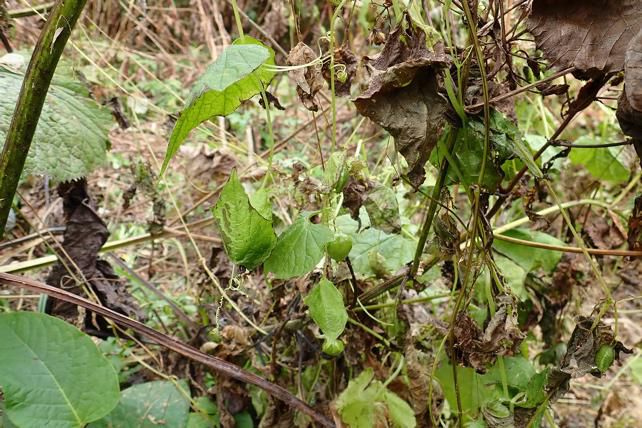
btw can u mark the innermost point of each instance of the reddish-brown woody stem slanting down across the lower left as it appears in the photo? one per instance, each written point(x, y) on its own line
point(218, 364)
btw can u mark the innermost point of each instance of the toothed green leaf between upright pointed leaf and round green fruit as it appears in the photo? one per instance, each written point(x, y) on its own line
point(298, 249)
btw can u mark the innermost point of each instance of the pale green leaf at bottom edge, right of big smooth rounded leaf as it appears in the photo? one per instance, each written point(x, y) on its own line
point(150, 405)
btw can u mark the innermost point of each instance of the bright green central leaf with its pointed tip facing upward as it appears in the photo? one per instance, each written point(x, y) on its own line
point(247, 233)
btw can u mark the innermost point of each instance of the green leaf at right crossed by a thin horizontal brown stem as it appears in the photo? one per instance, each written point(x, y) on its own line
point(530, 258)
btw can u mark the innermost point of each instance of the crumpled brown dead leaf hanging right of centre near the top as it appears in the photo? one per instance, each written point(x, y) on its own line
point(403, 97)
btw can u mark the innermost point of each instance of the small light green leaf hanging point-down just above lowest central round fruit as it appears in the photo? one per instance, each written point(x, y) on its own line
point(327, 308)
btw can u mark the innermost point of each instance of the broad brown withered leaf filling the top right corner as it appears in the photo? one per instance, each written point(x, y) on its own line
point(591, 35)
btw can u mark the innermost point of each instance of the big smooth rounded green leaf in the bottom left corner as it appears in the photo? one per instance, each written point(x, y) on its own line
point(52, 374)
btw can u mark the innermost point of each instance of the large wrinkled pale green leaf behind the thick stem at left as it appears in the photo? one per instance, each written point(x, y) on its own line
point(71, 137)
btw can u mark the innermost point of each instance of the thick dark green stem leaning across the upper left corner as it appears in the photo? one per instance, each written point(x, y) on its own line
point(35, 86)
